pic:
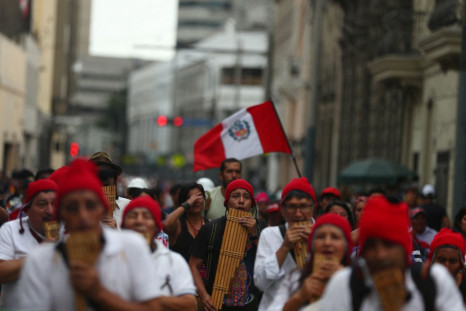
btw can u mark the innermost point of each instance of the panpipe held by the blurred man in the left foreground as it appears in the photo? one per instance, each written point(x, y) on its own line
point(85, 247)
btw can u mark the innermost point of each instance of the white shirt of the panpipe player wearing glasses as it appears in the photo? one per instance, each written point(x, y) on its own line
point(268, 276)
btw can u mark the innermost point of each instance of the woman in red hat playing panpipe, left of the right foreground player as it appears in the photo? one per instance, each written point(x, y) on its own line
point(330, 247)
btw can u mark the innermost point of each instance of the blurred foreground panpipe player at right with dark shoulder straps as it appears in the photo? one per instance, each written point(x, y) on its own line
point(384, 278)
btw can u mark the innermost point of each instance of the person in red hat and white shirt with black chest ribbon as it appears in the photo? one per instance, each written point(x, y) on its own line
point(172, 273)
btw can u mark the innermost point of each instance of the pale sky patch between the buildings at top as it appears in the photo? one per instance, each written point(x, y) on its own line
point(133, 28)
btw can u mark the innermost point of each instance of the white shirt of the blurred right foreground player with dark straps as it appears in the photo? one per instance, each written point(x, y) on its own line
point(337, 295)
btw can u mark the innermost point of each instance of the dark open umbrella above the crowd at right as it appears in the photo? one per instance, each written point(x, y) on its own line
point(375, 171)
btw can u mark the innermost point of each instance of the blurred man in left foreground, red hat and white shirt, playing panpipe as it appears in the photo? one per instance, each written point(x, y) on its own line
point(94, 268)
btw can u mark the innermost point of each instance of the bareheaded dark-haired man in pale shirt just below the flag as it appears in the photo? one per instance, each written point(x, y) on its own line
point(230, 169)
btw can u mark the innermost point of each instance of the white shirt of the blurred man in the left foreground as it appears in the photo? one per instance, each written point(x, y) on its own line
point(124, 267)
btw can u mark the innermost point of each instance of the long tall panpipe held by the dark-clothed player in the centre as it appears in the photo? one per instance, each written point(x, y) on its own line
point(234, 242)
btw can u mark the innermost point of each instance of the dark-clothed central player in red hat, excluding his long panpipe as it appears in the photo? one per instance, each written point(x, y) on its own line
point(242, 295)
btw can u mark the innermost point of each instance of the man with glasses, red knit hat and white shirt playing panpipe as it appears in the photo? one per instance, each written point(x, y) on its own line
point(277, 250)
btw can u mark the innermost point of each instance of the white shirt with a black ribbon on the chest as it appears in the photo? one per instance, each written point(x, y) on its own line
point(173, 276)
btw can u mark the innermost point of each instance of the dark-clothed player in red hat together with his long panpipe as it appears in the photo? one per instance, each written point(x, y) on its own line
point(214, 246)
